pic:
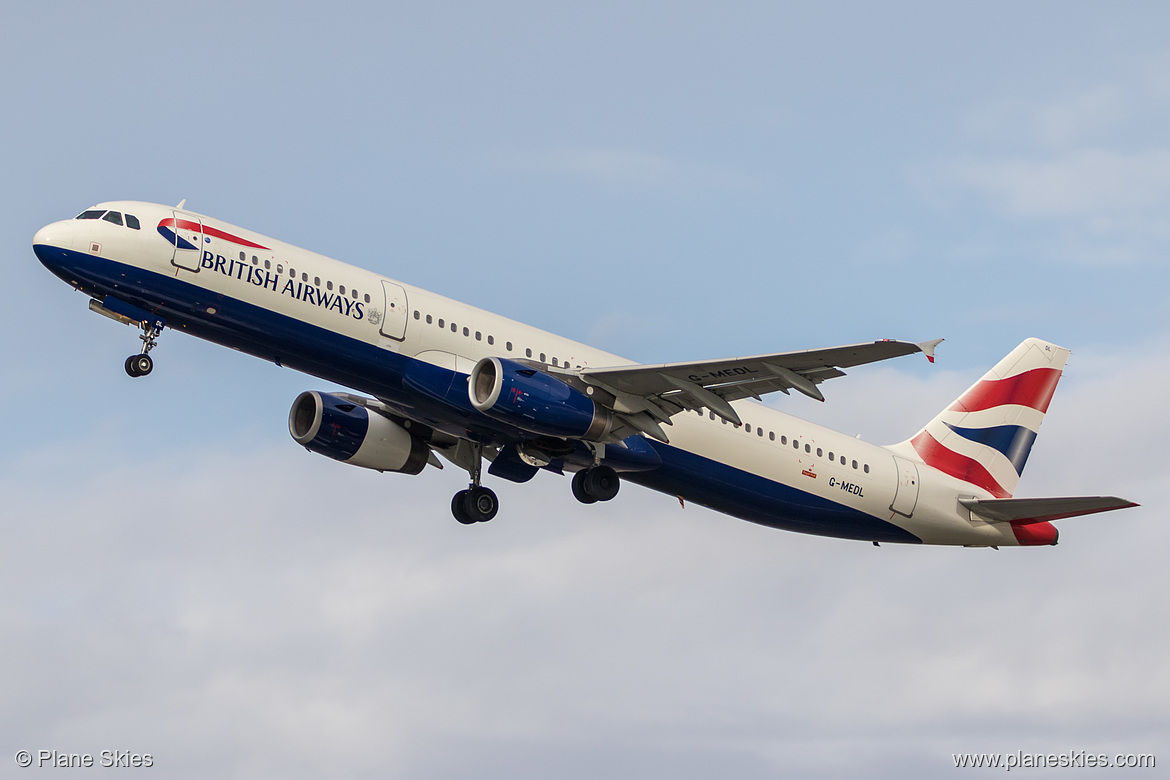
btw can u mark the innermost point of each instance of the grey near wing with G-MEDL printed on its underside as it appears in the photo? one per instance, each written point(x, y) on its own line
point(649, 395)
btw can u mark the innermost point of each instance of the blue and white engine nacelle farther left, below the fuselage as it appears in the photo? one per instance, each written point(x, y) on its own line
point(353, 434)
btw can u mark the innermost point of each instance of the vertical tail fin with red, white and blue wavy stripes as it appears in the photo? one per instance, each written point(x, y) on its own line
point(985, 438)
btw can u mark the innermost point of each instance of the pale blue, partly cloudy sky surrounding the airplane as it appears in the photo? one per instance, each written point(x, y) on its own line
point(664, 181)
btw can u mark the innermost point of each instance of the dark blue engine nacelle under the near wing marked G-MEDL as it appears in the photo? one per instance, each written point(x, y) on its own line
point(536, 402)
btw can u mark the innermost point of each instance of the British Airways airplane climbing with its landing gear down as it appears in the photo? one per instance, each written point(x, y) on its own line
point(437, 377)
